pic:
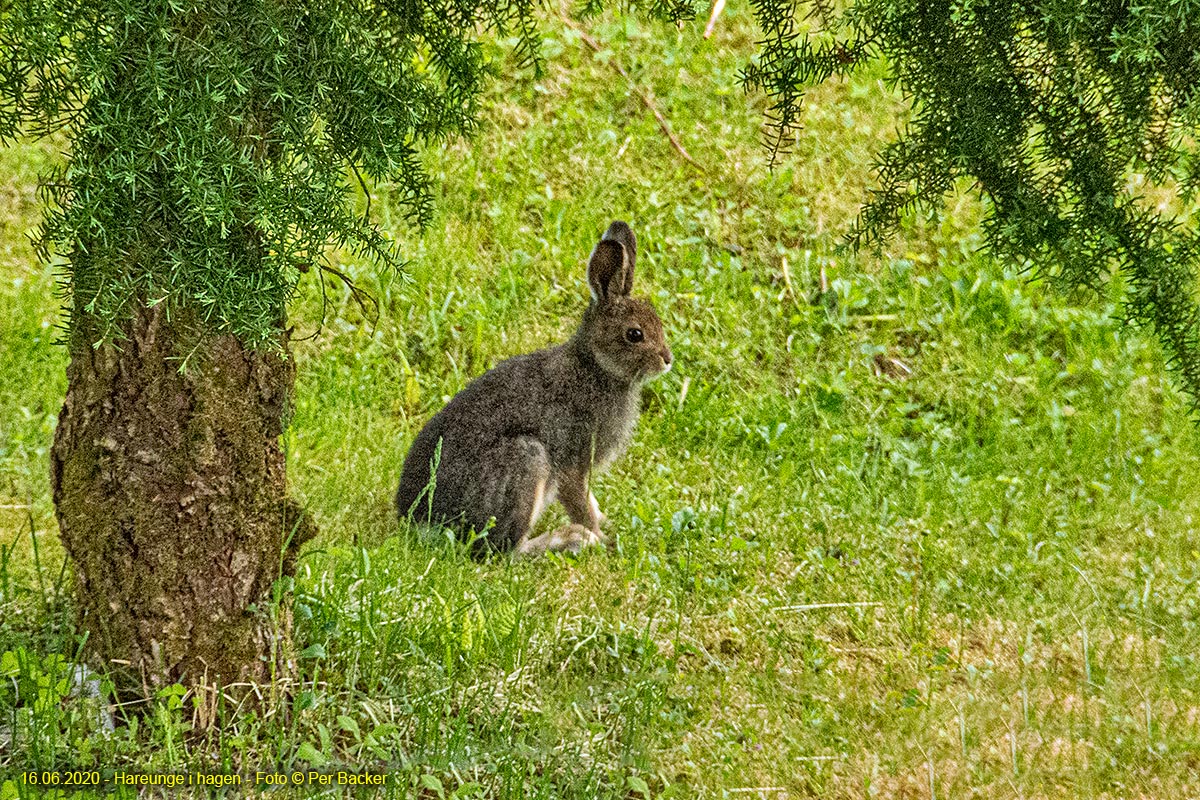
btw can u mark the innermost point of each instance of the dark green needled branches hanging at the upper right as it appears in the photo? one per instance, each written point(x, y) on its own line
point(1073, 119)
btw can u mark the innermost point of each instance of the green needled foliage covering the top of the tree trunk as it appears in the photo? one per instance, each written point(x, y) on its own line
point(211, 145)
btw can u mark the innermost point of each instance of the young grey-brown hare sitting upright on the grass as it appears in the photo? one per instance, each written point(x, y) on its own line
point(537, 428)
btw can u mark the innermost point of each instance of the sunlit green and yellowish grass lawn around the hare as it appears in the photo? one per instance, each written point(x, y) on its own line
point(927, 534)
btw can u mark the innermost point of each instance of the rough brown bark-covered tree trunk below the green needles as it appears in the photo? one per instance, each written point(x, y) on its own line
point(171, 495)
